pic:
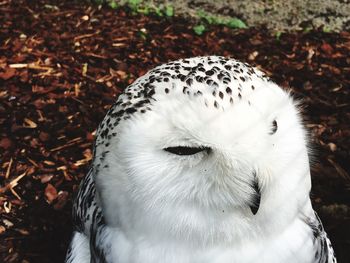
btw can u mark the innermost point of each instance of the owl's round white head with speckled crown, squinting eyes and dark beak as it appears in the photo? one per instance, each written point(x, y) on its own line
point(205, 132)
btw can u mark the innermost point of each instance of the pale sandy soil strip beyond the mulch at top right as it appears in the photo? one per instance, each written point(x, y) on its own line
point(277, 15)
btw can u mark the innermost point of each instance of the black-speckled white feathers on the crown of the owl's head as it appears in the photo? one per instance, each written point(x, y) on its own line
point(222, 77)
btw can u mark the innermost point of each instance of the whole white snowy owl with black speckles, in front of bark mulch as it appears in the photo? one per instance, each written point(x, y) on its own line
point(201, 160)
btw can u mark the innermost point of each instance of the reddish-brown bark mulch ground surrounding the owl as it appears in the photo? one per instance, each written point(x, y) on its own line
point(62, 64)
